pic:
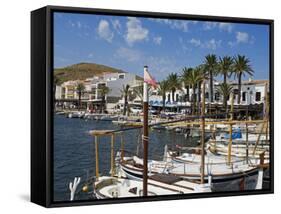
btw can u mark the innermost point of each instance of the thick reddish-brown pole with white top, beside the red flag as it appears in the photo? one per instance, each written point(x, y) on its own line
point(145, 133)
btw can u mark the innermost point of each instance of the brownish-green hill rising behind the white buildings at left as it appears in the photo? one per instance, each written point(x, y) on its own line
point(82, 71)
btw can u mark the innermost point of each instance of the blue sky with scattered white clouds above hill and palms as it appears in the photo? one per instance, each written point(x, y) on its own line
point(165, 45)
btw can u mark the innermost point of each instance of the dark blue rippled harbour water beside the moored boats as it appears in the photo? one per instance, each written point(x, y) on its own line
point(74, 153)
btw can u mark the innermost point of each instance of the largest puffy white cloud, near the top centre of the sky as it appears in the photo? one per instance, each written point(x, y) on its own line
point(135, 31)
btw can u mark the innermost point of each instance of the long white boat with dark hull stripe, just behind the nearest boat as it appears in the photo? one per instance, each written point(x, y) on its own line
point(233, 177)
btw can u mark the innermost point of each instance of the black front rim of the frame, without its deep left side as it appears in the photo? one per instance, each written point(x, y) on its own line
point(49, 105)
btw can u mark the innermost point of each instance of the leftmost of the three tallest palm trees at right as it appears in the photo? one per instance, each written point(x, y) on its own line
point(210, 64)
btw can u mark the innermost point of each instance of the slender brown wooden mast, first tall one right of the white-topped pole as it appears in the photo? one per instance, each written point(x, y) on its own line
point(203, 134)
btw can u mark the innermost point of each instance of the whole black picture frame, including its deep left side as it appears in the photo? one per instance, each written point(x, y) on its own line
point(42, 103)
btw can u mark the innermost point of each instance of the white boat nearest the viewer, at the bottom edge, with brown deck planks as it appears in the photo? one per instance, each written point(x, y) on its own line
point(116, 187)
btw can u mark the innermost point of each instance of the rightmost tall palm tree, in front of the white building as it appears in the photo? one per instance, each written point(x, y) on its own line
point(241, 66)
